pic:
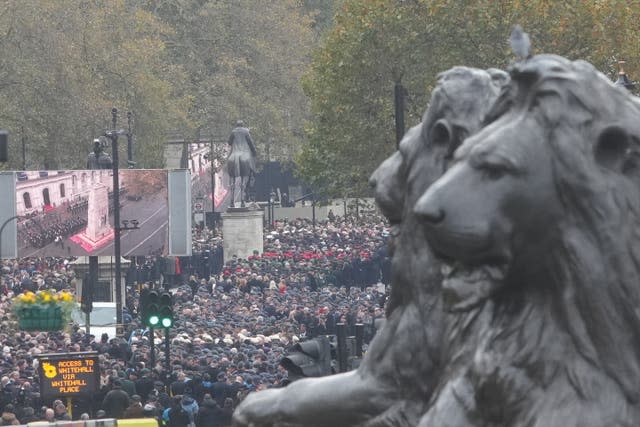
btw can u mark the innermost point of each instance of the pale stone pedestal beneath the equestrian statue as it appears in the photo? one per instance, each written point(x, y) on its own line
point(242, 231)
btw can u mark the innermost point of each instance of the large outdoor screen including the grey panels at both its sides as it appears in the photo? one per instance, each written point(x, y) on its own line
point(71, 213)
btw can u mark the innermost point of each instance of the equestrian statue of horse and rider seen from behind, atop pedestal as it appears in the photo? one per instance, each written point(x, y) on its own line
point(241, 161)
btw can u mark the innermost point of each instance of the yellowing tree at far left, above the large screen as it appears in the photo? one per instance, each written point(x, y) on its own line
point(65, 64)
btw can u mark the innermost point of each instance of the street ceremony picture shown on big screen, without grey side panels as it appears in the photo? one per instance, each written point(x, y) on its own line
point(64, 213)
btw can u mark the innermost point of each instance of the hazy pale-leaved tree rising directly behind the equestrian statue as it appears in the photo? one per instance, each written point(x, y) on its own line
point(244, 60)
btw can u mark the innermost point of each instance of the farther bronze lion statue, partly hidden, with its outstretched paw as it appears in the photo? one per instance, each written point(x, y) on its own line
point(393, 384)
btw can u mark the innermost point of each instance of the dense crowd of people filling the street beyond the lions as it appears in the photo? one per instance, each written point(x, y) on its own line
point(234, 322)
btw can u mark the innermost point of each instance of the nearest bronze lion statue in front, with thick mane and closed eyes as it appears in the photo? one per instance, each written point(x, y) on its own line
point(538, 223)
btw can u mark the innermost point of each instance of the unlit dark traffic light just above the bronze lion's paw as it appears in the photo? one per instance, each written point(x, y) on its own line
point(309, 359)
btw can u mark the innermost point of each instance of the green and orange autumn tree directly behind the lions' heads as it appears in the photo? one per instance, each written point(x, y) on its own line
point(375, 43)
